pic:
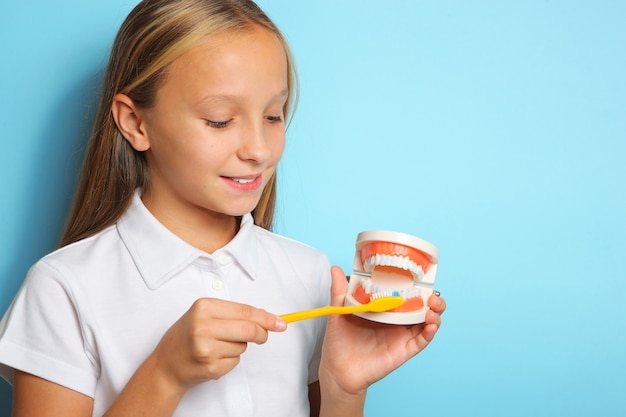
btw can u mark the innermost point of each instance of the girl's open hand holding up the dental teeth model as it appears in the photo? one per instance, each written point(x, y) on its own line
point(359, 352)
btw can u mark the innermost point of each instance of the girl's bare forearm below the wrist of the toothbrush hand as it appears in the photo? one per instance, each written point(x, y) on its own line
point(148, 393)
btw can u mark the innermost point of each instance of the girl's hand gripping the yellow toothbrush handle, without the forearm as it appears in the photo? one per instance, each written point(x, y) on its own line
point(207, 341)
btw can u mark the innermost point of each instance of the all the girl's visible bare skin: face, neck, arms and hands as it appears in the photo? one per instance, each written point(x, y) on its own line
point(215, 120)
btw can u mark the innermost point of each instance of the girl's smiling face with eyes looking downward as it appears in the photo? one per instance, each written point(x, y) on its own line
point(217, 129)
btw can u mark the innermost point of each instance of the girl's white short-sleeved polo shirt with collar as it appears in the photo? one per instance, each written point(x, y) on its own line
point(89, 314)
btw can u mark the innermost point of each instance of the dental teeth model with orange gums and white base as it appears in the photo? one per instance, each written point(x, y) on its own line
point(393, 264)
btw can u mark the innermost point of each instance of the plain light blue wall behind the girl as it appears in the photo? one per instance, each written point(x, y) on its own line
point(495, 130)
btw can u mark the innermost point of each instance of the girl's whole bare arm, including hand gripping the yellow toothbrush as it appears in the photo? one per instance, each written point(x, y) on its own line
point(205, 343)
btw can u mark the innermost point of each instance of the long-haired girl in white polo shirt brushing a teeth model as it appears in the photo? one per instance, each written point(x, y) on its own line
point(159, 301)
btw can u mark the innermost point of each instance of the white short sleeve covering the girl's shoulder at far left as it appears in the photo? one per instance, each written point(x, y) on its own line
point(42, 334)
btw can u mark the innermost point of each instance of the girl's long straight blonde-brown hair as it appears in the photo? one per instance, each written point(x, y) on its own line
point(153, 35)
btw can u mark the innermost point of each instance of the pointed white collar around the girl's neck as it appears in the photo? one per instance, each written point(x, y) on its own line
point(159, 254)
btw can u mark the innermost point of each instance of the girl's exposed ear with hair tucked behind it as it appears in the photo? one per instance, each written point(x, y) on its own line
point(129, 121)
